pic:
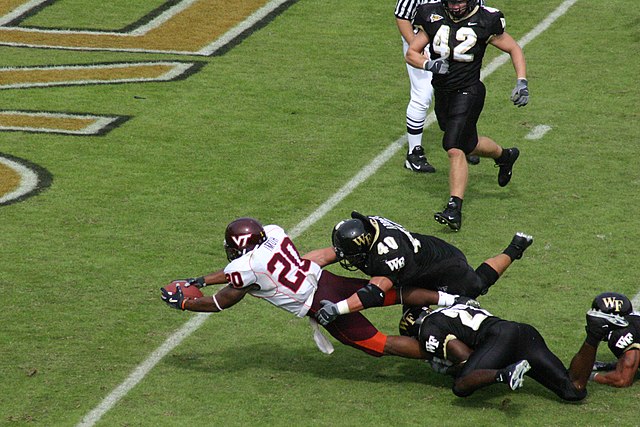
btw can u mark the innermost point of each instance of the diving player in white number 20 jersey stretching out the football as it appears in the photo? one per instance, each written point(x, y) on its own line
point(264, 263)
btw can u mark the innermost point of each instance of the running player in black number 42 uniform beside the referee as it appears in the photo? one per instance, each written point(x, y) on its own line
point(458, 32)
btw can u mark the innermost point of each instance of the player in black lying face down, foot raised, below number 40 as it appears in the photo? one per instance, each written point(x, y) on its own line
point(483, 349)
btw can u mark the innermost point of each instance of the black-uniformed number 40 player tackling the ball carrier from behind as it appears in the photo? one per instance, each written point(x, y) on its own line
point(395, 257)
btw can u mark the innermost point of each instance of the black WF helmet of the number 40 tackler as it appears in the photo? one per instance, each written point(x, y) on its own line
point(352, 239)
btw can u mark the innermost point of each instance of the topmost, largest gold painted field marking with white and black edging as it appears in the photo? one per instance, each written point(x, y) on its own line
point(188, 27)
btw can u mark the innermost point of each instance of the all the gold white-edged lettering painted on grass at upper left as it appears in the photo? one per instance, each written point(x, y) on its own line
point(178, 27)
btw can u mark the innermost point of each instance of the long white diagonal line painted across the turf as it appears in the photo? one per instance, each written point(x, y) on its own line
point(192, 325)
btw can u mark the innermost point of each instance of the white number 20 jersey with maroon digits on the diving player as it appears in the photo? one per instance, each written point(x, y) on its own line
point(285, 280)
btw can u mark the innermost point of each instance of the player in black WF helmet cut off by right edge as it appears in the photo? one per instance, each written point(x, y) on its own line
point(623, 342)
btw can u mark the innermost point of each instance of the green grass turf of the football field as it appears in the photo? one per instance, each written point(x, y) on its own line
point(290, 124)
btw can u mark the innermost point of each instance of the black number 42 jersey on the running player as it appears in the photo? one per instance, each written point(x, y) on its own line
point(462, 42)
